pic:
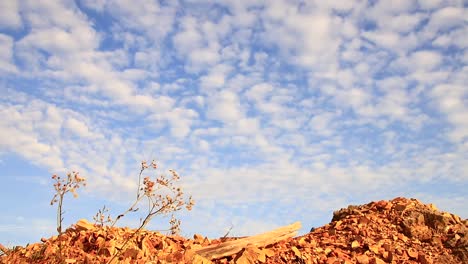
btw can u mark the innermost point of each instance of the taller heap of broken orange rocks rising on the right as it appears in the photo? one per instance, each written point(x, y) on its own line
point(397, 231)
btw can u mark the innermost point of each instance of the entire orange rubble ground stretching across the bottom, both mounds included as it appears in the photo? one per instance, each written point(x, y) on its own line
point(397, 231)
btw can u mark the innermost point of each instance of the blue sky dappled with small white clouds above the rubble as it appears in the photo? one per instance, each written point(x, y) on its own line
point(271, 111)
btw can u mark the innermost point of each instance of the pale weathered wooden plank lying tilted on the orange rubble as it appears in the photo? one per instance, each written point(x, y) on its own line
point(262, 240)
